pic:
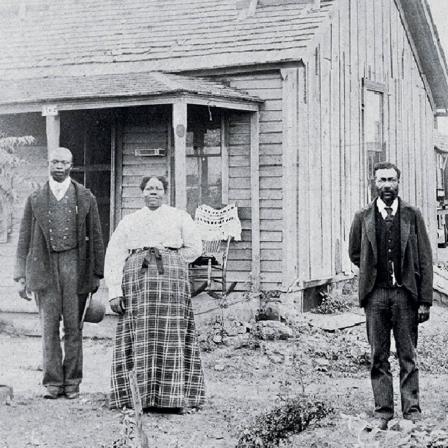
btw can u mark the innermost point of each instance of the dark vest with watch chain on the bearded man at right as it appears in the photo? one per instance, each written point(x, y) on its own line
point(388, 243)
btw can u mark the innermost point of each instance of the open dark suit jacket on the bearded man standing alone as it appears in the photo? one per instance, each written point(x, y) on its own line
point(416, 256)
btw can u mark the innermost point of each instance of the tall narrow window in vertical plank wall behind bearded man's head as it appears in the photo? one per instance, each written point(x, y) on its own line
point(373, 133)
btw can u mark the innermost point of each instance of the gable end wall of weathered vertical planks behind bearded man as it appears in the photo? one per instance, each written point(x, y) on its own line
point(365, 39)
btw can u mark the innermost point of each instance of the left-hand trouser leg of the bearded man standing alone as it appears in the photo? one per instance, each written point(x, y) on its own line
point(378, 318)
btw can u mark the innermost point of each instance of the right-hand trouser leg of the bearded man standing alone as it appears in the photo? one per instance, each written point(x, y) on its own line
point(405, 327)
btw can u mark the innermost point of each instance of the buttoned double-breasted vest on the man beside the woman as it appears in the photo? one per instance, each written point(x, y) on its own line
point(62, 221)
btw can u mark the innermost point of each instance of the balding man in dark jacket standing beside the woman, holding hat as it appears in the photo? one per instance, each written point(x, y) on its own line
point(60, 256)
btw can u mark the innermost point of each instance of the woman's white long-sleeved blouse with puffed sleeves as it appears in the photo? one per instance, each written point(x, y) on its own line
point(166, 226)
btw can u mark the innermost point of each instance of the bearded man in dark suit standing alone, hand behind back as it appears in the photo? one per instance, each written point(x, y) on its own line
point(389, 244)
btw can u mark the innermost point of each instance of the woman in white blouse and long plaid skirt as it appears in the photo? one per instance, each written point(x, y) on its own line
point(147, 275)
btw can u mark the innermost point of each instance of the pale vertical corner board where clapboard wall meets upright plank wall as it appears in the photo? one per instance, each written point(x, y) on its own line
point(290, 159)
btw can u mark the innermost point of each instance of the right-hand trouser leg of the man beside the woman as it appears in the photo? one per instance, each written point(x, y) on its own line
point(72, 366)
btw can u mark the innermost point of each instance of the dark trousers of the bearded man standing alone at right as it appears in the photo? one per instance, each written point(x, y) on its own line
point(391, 309)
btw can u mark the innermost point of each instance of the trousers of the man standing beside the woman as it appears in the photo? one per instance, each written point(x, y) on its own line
point(61, 299)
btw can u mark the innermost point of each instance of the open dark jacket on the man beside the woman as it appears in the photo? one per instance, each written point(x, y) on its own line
point(33, 249)
